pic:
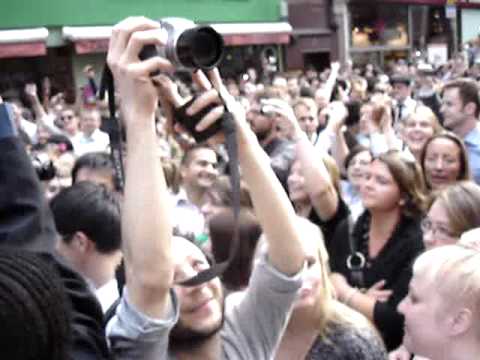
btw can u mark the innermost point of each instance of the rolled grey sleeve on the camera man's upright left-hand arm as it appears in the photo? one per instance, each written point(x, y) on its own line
point(133, 335)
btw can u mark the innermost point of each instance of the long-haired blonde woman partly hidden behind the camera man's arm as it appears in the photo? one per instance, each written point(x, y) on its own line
point(321, 327)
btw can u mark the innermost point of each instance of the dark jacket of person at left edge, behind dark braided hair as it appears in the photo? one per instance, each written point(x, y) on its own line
point(26, 222)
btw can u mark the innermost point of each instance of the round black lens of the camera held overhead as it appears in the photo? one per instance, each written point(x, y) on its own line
point(201, 47)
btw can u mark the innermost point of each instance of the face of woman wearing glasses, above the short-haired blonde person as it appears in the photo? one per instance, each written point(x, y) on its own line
point(436, 227)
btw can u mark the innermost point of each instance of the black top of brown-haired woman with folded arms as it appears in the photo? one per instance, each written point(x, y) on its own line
point(393, 264)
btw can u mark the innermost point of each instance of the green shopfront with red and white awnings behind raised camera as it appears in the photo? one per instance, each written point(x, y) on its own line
point(57, 38)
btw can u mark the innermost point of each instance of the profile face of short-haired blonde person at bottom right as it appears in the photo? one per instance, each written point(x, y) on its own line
point(425, 320)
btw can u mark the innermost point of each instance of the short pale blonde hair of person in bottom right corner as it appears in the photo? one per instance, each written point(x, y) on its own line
point(455, 273)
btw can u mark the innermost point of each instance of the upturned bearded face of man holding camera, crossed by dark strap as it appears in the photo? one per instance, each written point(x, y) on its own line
point(202, 306)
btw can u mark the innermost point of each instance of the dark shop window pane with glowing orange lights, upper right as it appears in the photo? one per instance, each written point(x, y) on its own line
point(379, 25)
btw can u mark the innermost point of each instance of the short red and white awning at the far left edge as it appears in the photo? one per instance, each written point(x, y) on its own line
point(23, 42)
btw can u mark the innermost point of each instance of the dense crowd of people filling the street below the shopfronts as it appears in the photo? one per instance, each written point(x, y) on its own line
point(357, 229)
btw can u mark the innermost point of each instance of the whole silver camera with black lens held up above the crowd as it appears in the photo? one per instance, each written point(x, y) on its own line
point(188, 46)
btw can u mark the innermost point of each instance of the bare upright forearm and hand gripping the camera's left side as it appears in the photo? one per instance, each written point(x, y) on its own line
point(146, 224)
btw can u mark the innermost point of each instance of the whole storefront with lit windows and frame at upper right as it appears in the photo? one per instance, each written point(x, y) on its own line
point(387, 30)
